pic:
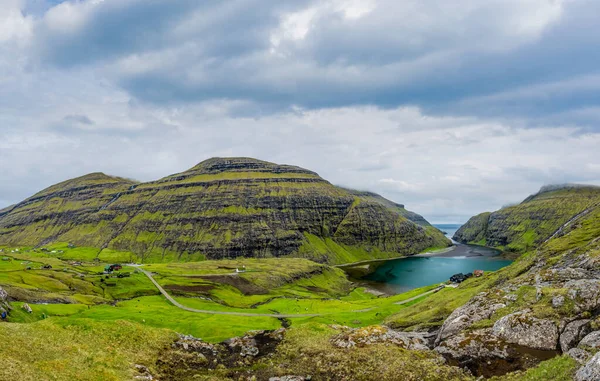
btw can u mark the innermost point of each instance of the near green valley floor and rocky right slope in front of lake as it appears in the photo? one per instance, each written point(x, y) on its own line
point(537, 319)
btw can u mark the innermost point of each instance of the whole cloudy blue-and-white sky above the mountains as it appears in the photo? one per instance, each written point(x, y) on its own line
point(451, 108)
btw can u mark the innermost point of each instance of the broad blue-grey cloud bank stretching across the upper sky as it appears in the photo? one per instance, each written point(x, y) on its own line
point(396, 53)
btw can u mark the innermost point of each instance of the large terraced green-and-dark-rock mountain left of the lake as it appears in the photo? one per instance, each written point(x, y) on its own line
point(221, 208)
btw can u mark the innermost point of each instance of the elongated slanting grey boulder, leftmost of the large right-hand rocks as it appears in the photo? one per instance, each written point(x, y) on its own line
point(477, 309)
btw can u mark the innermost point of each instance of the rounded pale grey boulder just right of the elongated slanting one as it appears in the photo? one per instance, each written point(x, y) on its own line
point(523, 329)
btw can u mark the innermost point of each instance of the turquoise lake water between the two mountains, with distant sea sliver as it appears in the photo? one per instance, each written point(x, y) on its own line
point(405, 274)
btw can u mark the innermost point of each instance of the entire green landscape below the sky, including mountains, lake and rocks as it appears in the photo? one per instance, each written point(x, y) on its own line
point(199, 282)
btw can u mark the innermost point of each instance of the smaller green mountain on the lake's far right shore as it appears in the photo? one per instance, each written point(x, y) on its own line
point(539, 217)
